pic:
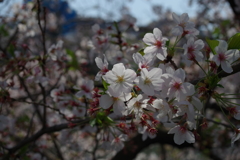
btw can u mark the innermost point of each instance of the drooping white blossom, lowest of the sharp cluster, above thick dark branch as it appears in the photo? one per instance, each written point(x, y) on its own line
point(182, 134)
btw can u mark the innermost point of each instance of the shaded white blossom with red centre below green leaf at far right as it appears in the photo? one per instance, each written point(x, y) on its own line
point(225, 57)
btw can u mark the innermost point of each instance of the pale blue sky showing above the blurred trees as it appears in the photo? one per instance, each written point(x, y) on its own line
point(109, 9)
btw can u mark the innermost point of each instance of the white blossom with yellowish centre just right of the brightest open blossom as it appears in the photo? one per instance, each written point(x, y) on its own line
point(150, 81)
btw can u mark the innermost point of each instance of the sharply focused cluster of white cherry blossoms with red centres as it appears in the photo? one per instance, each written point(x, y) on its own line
point(160, 93)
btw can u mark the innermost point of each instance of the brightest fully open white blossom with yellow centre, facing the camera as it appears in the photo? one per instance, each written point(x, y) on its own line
point(120, 80)
